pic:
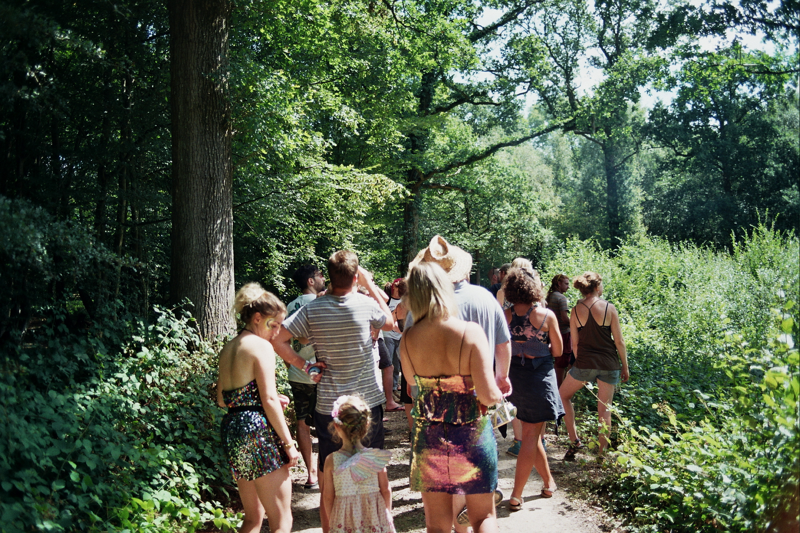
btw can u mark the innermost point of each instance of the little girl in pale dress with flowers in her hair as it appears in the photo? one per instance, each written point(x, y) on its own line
point(356, 491)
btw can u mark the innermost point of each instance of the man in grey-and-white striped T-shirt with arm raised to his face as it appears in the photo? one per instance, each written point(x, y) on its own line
point(338, 326)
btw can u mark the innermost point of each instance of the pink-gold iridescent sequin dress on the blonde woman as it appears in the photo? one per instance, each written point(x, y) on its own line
point(454, 448)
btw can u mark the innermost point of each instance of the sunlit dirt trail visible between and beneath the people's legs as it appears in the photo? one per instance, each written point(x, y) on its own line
point(563, 513)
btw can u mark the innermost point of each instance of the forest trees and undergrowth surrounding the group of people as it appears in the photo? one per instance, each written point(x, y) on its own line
point(154, 156)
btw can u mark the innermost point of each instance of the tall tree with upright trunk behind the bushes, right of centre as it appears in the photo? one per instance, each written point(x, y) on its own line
point(612, 35)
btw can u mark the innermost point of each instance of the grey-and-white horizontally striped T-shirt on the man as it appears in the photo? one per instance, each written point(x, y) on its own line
point(339, 329)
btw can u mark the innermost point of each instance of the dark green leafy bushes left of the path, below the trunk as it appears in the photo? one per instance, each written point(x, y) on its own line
point(111, 427)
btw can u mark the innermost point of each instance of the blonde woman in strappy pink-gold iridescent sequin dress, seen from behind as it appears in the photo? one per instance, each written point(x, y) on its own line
point(454, 449)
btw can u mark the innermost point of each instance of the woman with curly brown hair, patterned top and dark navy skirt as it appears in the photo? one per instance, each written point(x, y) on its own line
point(535, 341)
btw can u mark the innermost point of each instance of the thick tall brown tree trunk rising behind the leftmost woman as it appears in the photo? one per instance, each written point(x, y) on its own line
point(202, 202)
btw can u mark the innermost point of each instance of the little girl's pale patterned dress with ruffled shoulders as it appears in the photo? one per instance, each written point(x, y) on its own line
point(359, 506)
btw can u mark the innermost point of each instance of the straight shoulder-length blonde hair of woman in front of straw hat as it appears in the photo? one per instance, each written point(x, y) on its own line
point(429, 292)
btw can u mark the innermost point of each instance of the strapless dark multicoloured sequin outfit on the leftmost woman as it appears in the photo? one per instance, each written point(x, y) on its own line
point(251, 445)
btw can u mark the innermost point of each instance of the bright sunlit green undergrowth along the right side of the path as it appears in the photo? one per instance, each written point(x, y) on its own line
point(708, 424)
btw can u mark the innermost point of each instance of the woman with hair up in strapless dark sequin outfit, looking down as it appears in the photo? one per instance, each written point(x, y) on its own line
point(256, 439)
